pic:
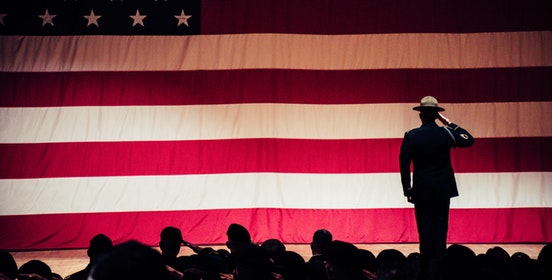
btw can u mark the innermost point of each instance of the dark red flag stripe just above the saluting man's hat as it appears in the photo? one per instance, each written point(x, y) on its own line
point(274, 86)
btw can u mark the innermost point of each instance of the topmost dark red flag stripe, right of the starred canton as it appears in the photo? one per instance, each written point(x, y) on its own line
point(358, 16)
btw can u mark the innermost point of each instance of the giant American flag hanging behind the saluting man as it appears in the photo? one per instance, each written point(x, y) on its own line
point(122, 117)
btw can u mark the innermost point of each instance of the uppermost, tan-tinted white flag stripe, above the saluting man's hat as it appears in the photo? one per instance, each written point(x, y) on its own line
point(284, 51)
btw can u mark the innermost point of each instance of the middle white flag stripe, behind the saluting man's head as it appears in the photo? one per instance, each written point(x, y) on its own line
point(358, 121)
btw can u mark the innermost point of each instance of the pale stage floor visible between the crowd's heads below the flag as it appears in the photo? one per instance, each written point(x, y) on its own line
point(65, 262)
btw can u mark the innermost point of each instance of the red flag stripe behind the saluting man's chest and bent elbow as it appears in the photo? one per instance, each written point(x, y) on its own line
point(44, 160)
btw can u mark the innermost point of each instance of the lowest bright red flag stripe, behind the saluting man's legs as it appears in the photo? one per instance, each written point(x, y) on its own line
point(289, 225)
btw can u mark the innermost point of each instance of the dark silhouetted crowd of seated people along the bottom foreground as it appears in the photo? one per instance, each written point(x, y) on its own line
point(244, 260)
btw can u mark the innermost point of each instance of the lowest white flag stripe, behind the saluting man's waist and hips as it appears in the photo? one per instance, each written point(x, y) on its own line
point(249, 190)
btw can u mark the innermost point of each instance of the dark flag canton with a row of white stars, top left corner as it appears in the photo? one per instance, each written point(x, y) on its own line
point(106, 17)
